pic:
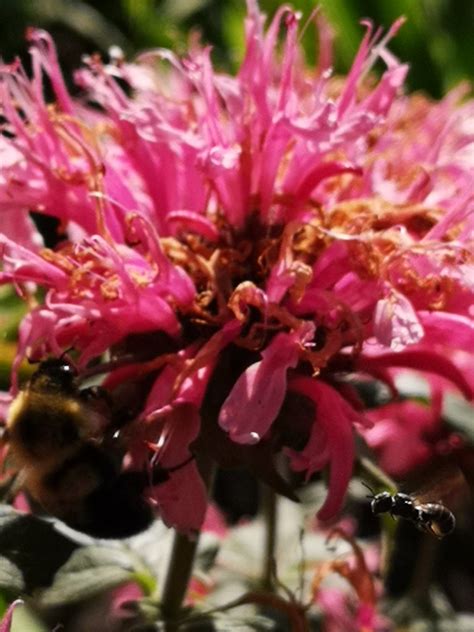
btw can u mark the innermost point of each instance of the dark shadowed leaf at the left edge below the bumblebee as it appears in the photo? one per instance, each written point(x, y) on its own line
point(33, 546)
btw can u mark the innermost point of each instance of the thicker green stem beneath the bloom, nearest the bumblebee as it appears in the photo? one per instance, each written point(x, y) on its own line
point(180, 566)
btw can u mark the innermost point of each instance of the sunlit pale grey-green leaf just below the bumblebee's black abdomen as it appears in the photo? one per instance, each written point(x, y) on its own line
point(89, 571)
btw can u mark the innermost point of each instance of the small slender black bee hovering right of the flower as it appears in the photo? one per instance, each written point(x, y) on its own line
point(433, 518)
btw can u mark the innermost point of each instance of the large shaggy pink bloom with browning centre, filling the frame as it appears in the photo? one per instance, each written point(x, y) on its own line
point(242, 248)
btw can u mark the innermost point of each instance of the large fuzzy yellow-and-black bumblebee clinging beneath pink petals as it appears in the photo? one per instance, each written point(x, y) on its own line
point(55, 435)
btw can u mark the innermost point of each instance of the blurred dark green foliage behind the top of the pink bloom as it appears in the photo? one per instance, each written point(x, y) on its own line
point(436, 40)
